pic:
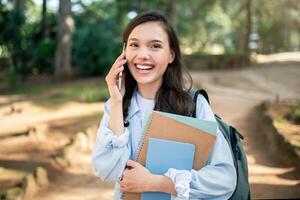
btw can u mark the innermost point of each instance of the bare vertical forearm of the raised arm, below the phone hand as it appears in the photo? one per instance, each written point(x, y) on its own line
point(116, 118)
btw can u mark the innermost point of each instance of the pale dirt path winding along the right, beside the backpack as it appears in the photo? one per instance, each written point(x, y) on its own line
point(235, 96)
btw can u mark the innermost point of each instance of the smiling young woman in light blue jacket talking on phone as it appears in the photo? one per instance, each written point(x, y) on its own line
point(153, 79)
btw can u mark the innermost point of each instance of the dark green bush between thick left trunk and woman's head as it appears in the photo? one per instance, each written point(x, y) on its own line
point(95, 47)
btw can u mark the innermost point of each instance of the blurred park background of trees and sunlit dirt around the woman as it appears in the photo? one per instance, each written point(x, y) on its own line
point(54, 55)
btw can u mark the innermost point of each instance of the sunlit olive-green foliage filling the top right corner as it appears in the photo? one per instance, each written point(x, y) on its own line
point(277, 25)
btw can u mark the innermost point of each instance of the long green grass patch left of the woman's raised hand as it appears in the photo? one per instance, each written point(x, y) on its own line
point(53, 94)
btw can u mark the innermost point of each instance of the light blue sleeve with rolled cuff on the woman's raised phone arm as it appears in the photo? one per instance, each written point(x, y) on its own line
point(110, 152)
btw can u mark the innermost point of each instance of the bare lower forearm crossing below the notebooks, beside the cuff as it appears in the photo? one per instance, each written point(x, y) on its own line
point(161, 183)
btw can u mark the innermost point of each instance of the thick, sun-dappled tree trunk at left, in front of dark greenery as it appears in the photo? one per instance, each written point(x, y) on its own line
point(64, 35)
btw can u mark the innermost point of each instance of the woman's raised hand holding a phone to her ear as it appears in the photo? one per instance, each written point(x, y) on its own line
point(112, 79)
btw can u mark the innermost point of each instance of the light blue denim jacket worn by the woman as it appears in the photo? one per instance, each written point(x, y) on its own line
point(110, 154)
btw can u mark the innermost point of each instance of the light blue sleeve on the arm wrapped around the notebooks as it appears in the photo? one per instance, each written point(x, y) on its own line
point(217, 180)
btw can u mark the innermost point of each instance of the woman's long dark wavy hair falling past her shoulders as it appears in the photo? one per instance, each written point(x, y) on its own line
point(172, 96)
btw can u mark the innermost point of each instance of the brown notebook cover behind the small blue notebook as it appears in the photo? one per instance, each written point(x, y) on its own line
point(163, 127)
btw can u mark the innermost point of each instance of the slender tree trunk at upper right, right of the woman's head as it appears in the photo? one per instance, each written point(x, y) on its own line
point(245, 40)
